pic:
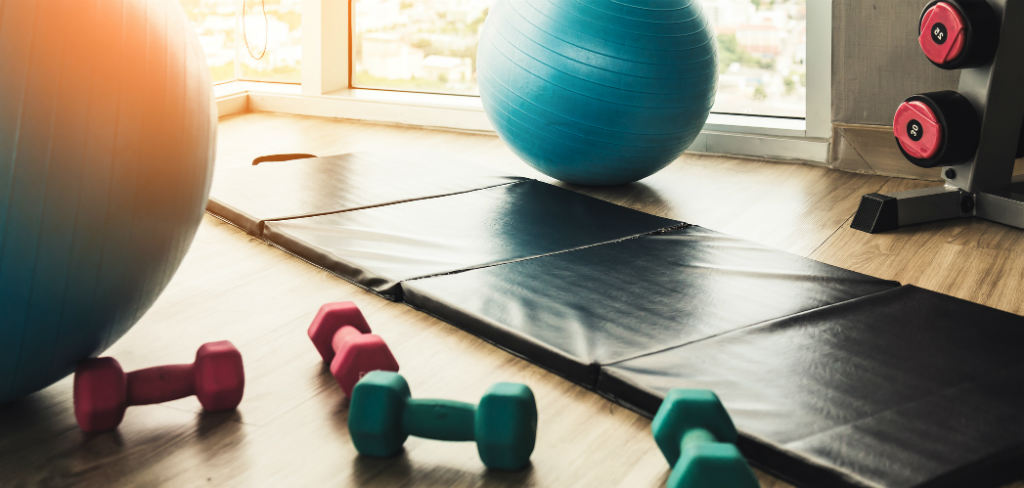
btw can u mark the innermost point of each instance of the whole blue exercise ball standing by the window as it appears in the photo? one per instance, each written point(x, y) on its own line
point(598, 93)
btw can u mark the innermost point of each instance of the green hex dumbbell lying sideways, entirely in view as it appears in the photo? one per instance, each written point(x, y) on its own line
point(382, 415)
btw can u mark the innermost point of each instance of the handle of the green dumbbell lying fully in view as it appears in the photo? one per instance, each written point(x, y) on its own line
point(442, 420)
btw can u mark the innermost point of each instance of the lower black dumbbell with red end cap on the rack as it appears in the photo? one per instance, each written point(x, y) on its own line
point(938, 128)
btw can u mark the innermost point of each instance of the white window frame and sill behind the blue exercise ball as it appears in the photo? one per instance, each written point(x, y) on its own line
point(326, 91)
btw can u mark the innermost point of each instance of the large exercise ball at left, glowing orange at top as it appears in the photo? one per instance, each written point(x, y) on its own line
point(107, 141)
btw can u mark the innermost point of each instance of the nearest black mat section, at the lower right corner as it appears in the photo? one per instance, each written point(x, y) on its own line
point(903, 388)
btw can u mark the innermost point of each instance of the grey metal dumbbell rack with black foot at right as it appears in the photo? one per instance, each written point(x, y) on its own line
point(984, 187)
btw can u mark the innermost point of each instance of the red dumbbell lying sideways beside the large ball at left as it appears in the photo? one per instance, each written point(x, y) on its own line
point(103, 391)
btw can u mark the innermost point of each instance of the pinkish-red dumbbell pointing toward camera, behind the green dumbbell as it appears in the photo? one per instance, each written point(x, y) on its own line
point(344, 339)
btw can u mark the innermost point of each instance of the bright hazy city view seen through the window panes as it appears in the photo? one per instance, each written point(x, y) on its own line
point(432, 47)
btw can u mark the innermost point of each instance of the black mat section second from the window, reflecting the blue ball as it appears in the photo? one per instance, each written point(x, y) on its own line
point(382, 246)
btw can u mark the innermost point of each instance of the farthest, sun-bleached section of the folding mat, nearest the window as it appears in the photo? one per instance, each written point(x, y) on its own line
point(249, 197)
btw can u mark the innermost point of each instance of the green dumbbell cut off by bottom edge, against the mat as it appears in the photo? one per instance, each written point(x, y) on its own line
point(697, 436)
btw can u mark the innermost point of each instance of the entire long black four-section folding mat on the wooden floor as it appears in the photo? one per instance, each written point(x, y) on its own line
point(835, 379)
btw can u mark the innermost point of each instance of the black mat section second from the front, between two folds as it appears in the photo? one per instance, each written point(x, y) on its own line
point(574, 312)
